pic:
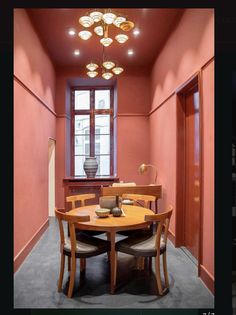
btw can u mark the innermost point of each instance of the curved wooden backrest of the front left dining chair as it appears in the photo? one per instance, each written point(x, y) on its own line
point(61, 215)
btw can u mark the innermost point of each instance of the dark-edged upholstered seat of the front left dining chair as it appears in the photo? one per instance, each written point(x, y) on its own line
point(87, 246)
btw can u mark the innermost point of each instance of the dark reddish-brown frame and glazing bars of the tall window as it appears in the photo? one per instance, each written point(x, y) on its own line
point(92, 112)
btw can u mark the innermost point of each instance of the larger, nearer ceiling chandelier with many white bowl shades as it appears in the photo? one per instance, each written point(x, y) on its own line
point(101, 22)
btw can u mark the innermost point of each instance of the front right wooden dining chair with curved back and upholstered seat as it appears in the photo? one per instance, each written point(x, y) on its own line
point(154, 245)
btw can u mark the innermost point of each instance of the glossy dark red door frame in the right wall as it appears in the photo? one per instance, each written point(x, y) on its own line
point(180, 162)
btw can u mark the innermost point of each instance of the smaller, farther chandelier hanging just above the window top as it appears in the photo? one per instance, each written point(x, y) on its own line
point(107, 68)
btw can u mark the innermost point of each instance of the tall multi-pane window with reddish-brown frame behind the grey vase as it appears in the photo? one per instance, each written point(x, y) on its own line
point(92, 129)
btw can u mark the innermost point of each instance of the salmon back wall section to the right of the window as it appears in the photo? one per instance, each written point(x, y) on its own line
point(133, 104)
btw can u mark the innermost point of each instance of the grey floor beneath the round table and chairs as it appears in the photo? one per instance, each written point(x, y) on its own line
point(35, 282)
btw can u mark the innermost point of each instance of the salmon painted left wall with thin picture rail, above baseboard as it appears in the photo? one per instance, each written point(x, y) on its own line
point(34, 123)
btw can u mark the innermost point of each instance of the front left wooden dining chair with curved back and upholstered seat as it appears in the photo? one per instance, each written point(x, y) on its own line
point(82, 248)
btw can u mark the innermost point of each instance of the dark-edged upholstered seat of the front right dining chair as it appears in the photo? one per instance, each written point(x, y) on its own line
point(140, 245)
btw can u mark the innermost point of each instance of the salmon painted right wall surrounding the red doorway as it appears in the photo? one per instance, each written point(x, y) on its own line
point(187, 50)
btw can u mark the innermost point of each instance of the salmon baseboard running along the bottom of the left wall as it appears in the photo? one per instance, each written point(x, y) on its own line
point(20, 257)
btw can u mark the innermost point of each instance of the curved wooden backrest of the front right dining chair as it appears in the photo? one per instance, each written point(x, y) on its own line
point(163, 220)
